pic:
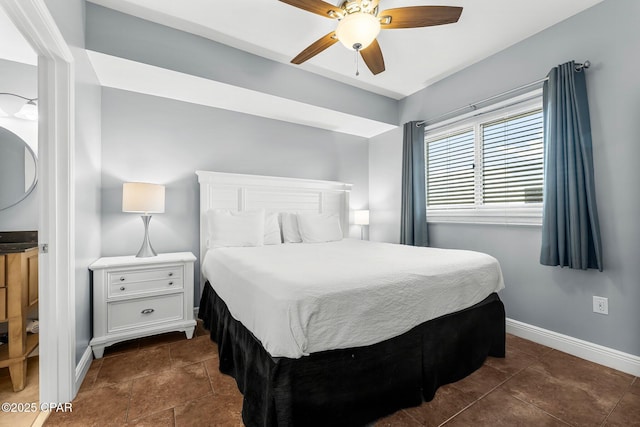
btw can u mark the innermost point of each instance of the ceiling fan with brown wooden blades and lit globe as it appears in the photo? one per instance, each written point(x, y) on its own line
point(360, 21)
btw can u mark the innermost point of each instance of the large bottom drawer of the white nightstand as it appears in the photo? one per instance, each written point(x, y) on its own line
point(144, 311)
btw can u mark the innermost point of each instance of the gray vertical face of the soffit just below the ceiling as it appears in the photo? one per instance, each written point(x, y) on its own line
point(125, 36)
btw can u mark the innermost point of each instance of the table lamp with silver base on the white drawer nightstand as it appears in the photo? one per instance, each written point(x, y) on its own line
point(144, 198)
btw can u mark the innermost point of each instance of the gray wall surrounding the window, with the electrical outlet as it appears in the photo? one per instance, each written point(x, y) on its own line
point(553, 298)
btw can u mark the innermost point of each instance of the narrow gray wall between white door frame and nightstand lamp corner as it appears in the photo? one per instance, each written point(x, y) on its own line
point(69, 16)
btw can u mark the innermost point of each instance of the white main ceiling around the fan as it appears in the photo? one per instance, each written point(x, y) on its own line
point(414, 58)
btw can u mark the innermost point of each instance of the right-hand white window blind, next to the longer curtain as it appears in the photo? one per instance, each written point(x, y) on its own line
point(512, 159)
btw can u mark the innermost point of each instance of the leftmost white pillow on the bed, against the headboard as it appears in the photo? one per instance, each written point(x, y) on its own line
point(227, 228)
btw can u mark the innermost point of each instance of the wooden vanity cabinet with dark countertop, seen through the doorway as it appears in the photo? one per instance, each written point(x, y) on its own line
point(18, 293)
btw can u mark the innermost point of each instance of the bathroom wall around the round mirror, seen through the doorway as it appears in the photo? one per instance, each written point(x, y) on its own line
point(21, 79)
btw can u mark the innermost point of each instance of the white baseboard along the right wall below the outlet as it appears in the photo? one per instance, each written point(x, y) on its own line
point(615, 359)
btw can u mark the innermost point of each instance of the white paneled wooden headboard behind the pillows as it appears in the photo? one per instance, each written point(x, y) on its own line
point(273, 194)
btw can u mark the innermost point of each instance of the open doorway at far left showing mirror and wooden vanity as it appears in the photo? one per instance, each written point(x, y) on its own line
point(19, 210)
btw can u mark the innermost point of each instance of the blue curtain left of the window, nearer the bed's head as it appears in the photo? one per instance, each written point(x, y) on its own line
point(413, 222)
